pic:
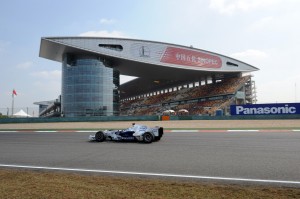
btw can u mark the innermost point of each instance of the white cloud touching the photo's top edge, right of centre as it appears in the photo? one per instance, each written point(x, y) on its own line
point(232, 6)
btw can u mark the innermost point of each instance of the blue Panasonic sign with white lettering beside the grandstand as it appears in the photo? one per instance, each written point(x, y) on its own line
point(265, 109)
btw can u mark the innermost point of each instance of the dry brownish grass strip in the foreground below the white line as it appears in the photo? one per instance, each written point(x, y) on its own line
point(36, 184)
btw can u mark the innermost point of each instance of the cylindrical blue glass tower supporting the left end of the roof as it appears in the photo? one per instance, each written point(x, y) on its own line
point(90, 87)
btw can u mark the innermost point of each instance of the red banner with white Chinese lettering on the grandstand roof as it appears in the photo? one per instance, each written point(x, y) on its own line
point(187, 57)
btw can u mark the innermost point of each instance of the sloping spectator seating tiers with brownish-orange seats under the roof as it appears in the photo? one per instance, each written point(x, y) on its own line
point(198, 100)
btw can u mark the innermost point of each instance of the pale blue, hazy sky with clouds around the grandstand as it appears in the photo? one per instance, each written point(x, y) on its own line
point(263, 33)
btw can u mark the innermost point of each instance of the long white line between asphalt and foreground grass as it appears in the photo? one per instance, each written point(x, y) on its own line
point(153, 174)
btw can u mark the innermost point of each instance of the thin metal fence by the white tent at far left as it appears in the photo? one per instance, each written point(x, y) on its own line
point(30, 111)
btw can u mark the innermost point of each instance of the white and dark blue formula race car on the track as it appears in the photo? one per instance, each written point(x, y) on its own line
point(137, 132)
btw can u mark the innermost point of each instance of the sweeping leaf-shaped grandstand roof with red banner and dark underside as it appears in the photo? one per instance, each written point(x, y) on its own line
point(156, 64)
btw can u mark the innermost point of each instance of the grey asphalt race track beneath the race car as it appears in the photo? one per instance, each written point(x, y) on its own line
point(239, 157)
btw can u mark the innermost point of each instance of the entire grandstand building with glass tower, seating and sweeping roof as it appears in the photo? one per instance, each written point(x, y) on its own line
point(181, 79)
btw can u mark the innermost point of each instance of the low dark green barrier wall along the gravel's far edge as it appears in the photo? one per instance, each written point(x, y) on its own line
point(146, 118)
